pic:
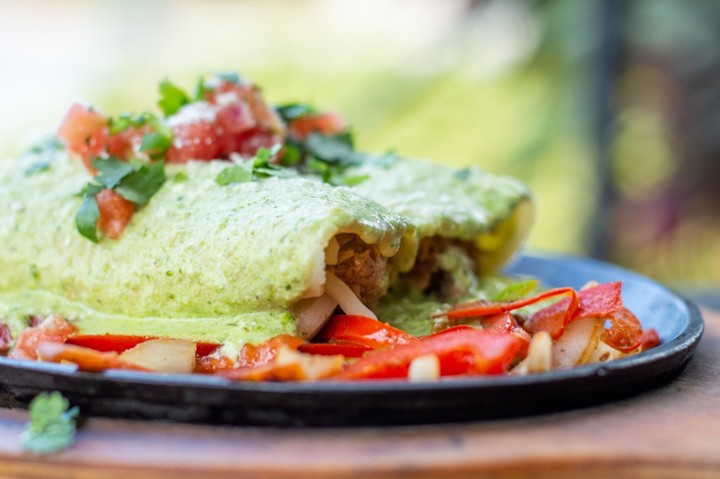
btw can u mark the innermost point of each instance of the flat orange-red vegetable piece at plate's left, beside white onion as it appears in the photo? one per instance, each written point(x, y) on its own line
point(88, 360)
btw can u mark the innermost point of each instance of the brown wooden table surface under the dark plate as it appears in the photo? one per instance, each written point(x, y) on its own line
point(673, 431)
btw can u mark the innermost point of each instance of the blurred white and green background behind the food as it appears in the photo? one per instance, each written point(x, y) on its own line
point(609, 110)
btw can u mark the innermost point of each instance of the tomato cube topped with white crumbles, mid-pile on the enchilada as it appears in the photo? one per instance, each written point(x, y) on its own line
point(194, 141)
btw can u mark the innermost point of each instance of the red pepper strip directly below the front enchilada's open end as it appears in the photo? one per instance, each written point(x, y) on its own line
point(362, 330)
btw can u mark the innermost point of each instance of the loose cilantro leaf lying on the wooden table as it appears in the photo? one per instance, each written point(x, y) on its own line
point(52, 424)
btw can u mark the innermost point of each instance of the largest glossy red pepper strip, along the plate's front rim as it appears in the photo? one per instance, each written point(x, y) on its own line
point(463, 351)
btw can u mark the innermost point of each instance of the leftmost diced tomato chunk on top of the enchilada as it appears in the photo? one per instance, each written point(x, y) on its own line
point(85, 133)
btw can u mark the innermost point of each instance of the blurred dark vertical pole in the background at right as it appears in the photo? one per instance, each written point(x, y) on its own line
point(606, 66)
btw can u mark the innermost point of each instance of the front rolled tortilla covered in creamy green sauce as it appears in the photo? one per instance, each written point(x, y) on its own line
point(201, 261)
